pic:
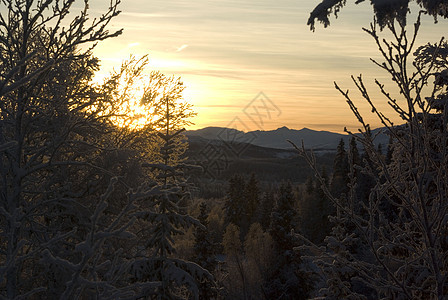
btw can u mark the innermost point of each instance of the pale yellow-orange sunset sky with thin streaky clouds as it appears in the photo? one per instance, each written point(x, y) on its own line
point(228, 51)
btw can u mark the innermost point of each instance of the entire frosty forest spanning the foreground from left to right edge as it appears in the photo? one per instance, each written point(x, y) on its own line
point(98, 199)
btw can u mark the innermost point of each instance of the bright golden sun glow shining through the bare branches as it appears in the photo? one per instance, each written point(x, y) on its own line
point(139, 99)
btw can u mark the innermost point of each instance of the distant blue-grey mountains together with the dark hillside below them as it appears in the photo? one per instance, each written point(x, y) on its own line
point(223, 152)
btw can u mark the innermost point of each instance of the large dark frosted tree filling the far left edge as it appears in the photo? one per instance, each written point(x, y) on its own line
point(55, 217)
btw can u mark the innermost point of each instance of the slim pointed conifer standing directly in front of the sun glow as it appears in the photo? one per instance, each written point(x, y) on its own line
point(165, 218)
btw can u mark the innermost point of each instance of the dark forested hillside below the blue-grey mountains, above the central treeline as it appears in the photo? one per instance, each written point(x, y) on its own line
point(220, 160)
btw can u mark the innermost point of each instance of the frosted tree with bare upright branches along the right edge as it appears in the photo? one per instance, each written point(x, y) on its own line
point(400, 257)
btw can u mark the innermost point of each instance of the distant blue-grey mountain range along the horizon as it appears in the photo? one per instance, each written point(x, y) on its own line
point(278, 138)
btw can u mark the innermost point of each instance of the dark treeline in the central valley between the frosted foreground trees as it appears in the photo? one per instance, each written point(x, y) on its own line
point(269, 219)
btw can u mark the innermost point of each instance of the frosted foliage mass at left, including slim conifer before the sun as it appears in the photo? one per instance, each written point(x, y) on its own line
point(73, 189)
